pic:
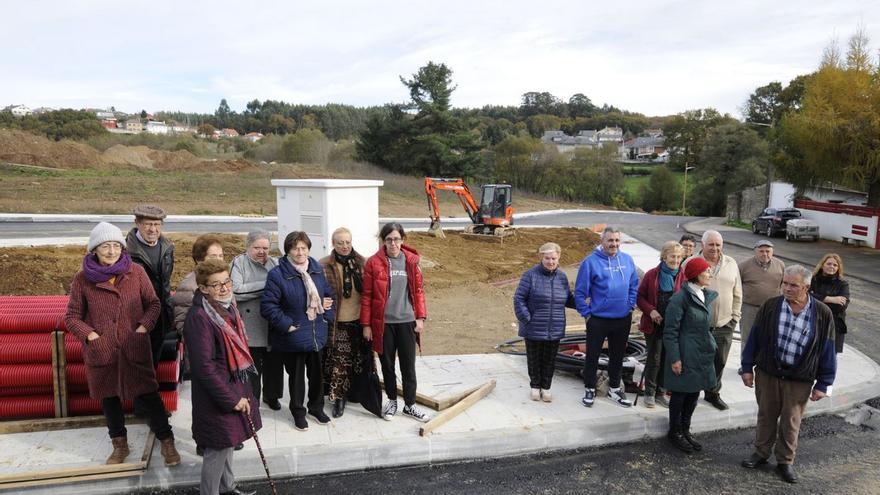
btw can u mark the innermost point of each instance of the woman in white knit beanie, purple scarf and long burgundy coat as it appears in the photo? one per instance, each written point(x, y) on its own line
point(112, 309)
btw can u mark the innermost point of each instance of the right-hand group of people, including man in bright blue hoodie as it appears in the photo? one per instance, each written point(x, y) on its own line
point(792, 323)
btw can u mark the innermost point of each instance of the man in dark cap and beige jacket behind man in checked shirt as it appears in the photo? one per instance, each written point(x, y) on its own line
point(761, 277)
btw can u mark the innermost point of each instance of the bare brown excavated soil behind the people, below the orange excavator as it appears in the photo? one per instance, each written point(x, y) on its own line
point(469, 283)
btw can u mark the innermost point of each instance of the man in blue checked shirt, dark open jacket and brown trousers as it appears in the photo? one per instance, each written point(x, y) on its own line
point(788, 358)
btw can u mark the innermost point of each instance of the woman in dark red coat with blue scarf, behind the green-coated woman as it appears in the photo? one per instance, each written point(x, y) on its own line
point(657, 287)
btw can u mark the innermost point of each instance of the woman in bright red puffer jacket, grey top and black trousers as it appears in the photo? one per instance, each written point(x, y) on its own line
point(393, 313)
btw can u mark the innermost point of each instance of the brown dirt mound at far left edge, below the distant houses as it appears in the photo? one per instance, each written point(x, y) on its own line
point(30, 149)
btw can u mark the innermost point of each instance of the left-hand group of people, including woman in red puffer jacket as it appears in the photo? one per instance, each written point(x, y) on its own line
point(243, 325)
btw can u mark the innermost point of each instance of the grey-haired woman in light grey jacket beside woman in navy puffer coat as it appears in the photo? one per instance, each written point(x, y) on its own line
point(248, 273)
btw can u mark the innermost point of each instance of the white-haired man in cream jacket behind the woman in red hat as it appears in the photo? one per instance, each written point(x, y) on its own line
point(726, 309)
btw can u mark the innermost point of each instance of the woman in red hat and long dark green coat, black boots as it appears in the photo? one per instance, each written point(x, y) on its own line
point(690, 351)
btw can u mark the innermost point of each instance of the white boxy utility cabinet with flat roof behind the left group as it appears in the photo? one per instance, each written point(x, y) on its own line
point(320, 206)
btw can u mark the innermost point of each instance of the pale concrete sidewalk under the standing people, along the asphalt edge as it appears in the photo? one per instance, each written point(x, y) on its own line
point(504, 423)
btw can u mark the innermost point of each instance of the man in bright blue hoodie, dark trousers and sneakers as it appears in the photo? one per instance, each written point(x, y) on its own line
point(605, 295)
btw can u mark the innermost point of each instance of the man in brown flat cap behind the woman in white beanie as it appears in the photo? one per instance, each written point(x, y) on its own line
point(155, 253)
